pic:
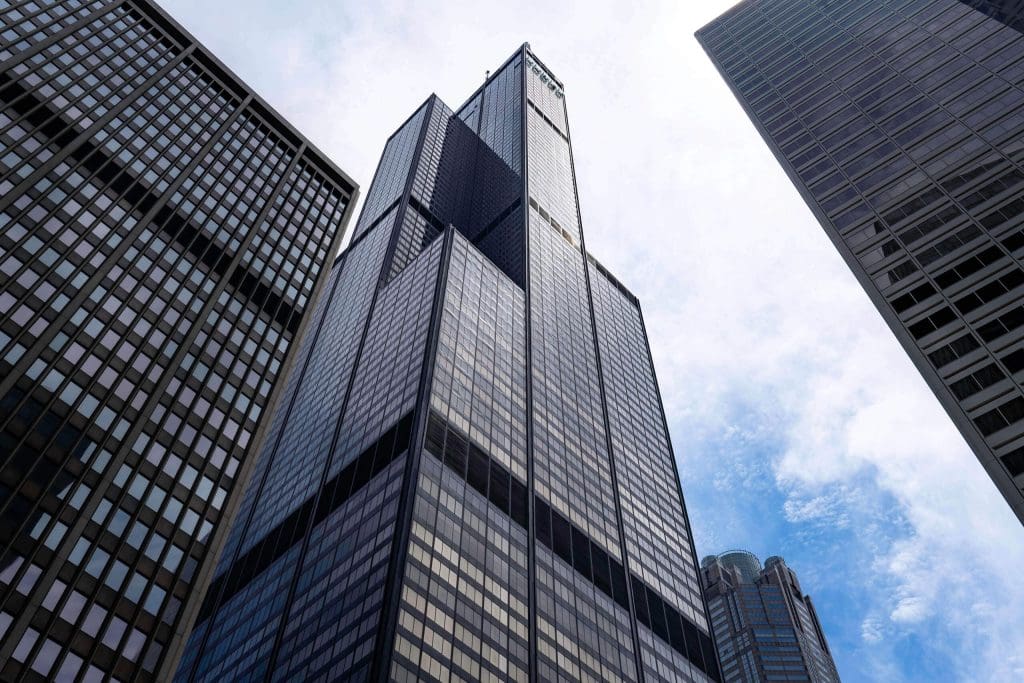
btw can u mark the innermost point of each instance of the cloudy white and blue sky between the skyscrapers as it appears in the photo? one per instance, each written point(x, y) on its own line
point(801, 428)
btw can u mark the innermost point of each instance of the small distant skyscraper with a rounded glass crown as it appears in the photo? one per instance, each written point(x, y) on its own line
point(765, 627)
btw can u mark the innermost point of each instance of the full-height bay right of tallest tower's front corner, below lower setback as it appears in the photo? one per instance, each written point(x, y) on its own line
point(464, 607)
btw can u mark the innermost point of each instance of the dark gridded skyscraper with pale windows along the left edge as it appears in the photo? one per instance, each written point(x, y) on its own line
point(163, 234)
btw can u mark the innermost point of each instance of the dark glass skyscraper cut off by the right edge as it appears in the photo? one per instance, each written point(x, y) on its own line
point(901, 124)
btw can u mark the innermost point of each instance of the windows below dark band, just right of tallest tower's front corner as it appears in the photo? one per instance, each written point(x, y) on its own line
point(464, 597)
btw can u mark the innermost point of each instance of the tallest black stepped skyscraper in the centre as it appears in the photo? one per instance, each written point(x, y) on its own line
point(471, 476)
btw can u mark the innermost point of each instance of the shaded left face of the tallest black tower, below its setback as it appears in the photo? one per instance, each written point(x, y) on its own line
point(323, 522)
